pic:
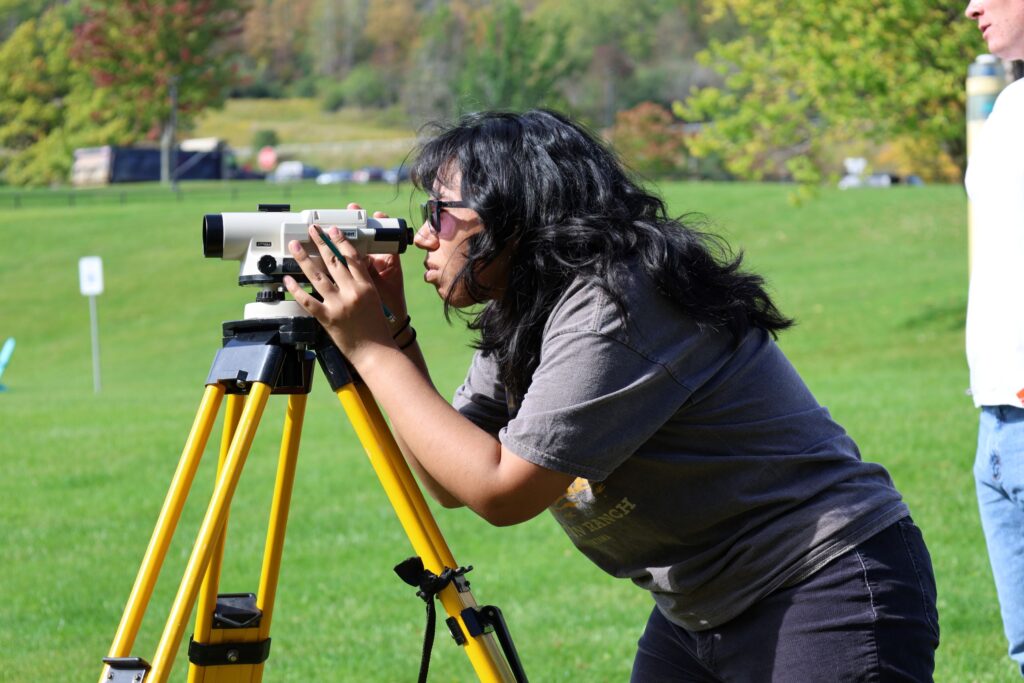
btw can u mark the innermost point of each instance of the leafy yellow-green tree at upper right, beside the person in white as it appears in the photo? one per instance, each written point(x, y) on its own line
point(805, 77)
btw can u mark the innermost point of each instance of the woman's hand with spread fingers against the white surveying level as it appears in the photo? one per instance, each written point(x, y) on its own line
point(352, 311)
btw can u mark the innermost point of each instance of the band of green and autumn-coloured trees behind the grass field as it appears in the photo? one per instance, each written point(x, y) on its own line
point(721, 89)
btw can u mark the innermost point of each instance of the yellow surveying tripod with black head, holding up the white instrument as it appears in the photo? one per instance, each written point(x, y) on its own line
point(232, 641)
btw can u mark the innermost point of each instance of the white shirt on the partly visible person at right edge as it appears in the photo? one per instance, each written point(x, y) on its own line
point(996, 305)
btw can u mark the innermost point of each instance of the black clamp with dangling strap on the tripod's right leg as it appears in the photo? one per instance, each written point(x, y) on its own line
point(478, 620)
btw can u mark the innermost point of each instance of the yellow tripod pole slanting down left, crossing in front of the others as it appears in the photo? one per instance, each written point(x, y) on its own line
point(209, 532)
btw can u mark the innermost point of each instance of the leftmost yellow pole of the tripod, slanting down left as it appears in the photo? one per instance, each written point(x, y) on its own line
point(166, 524)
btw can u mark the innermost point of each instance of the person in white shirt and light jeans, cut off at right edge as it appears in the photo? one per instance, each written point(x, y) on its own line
point(996, 318)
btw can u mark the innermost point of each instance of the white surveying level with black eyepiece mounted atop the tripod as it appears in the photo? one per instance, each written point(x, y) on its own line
point(260, 241)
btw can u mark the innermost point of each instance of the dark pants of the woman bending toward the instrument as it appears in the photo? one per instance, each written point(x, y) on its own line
point(868, 616)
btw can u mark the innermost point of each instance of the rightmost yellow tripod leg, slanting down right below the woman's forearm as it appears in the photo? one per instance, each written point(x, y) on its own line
point(418, 523)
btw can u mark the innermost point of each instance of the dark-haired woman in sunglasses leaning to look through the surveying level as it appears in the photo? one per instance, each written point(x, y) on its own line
point(627, 379)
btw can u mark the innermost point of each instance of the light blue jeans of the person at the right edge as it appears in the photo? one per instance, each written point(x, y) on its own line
point(999, 475)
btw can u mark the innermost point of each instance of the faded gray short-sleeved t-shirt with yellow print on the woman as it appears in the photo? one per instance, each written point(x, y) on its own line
point(708, 474)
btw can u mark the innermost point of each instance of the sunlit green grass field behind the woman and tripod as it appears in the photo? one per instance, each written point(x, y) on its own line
point(877, 280)
